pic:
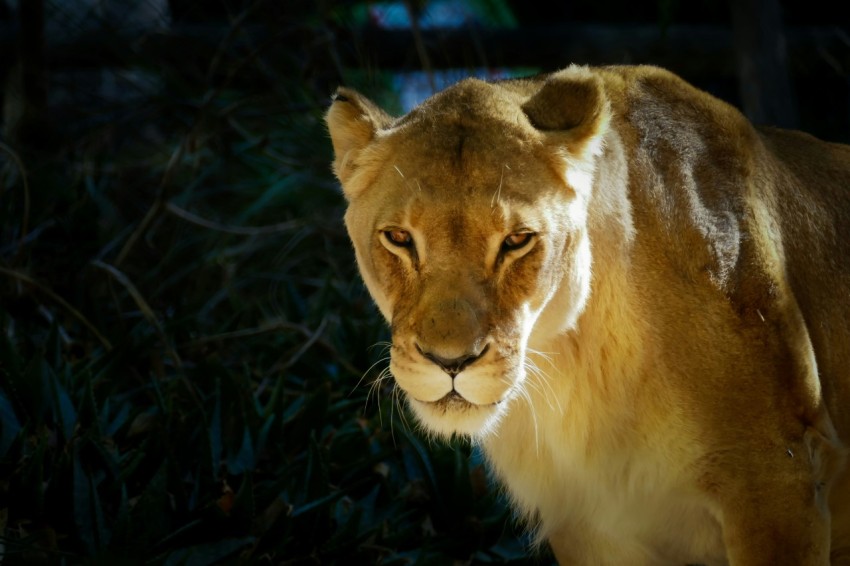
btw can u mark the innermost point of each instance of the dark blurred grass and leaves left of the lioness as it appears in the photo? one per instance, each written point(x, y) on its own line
point(188, 362)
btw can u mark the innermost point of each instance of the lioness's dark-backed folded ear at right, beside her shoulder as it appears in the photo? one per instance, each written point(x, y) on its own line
point(571, 104)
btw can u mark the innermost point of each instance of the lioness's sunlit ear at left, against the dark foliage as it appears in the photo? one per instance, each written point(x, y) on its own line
point(353, 121)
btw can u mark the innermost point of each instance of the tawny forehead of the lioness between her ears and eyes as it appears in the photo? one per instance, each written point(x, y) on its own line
point(464, 182)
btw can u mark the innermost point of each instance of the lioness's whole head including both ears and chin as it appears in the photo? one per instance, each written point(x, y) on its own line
point(468, 217)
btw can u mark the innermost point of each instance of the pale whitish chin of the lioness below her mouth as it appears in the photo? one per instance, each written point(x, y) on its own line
point(454, 415)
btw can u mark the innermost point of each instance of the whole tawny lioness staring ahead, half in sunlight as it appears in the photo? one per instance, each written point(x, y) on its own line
point(637, 303)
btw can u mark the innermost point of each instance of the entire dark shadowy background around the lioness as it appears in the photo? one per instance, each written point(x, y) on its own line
point(190, 369)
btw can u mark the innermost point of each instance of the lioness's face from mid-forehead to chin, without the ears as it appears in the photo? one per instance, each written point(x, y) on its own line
point(462, 265)
